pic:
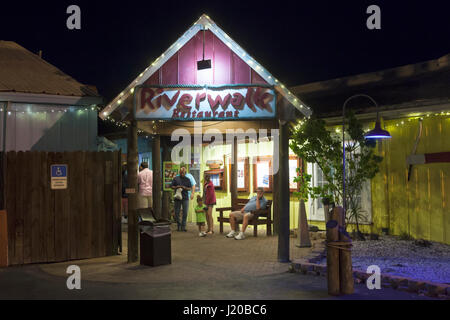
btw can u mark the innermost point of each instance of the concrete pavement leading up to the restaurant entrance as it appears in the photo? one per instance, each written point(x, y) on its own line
point(202, 268)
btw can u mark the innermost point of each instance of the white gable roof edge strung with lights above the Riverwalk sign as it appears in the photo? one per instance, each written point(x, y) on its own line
point(205, 23)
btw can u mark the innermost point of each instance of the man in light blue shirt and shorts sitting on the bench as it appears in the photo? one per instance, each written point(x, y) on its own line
point(244, 215)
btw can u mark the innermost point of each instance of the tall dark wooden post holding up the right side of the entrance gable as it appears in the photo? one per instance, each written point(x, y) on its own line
point(283, 191)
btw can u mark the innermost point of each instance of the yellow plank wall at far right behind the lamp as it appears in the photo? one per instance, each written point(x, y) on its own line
point(419, 207)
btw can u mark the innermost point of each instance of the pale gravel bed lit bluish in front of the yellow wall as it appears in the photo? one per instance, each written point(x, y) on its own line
point(404, 258)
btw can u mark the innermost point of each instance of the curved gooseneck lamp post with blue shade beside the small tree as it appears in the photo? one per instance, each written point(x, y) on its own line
point(376, 133)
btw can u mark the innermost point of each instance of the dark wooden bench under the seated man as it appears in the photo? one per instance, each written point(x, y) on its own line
point(261, 216)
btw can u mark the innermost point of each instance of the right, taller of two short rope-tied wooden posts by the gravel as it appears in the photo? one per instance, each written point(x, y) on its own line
point(345, 256)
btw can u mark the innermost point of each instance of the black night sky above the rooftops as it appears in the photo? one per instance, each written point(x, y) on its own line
point(297, 41)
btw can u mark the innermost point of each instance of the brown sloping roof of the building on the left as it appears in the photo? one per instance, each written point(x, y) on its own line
point(21, 71)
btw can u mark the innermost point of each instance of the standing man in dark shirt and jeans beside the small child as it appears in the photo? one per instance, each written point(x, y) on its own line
point(181, 182)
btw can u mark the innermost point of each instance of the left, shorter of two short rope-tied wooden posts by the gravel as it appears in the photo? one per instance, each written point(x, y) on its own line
point(333, 255)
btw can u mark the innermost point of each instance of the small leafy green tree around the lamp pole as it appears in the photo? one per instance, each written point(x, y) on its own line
point(314, 143)
